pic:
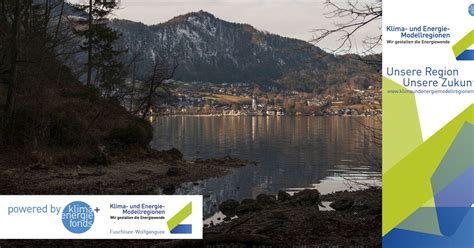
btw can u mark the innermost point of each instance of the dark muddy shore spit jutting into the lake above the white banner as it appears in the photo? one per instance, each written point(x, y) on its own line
point(159, 169)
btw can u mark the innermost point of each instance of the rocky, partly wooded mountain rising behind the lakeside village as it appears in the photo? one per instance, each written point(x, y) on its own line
point(213, 50)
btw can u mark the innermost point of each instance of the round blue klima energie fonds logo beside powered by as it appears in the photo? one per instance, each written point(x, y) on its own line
point(78, 217)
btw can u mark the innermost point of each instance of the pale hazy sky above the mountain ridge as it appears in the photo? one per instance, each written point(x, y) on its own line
point(290, 18)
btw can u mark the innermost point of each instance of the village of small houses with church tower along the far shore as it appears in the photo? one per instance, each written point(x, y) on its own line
point(245, 99)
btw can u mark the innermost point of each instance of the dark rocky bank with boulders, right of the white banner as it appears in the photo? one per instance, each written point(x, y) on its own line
point(352, 219)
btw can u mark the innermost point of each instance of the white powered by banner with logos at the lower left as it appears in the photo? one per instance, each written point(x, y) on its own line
point(101, 217)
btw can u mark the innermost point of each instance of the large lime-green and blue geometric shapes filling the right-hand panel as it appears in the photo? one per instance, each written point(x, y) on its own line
point(429, 191)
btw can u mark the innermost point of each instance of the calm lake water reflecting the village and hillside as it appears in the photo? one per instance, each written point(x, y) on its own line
point(327, 153)
